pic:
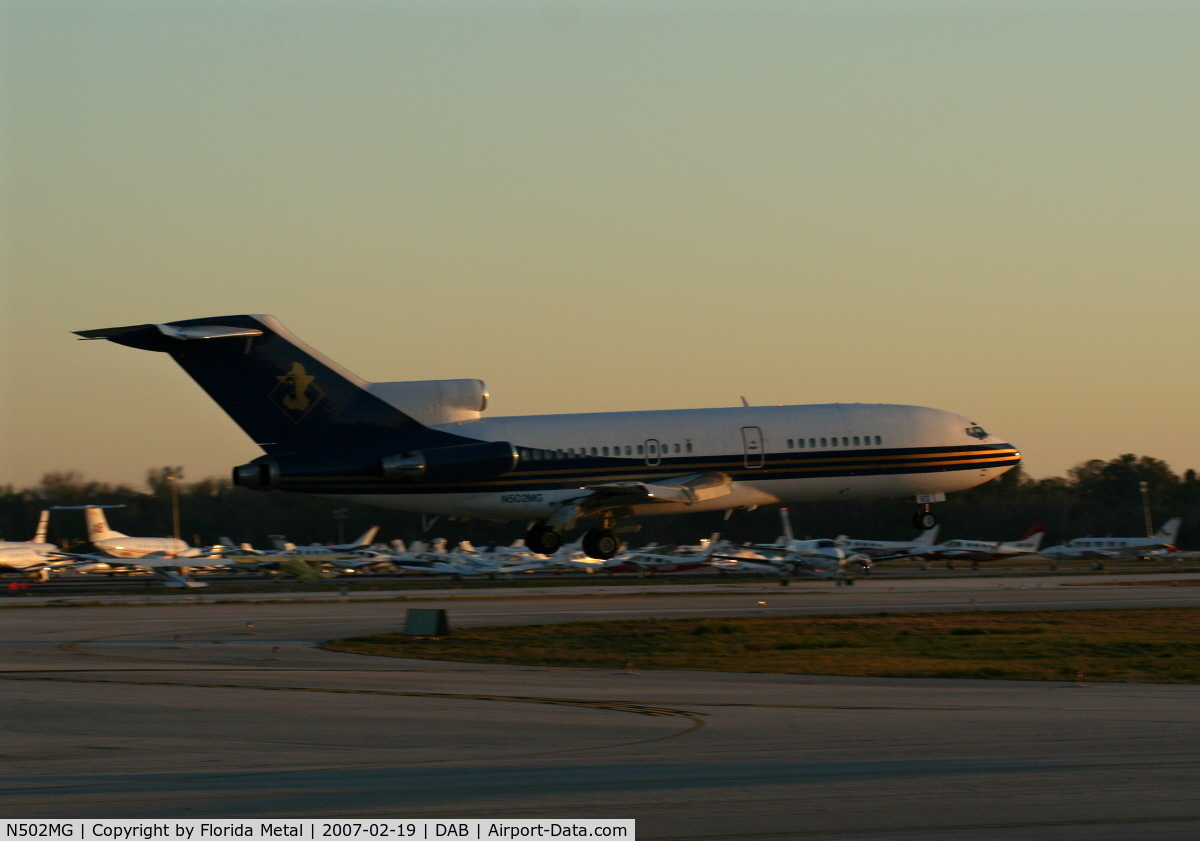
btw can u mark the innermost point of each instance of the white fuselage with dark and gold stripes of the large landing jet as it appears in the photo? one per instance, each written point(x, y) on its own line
point(850, 452)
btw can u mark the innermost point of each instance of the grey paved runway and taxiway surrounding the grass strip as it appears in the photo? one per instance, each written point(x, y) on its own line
point(107, 716)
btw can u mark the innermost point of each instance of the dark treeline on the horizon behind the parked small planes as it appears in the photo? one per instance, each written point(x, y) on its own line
point(1096, 498)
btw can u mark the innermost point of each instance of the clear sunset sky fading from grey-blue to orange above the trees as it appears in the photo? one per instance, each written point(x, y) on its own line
point(982, 207)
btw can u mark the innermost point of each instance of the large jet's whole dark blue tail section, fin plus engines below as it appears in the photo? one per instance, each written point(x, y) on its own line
point(317, 422)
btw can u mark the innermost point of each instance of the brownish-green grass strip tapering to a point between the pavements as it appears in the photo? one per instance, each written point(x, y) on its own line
point(1125, 645)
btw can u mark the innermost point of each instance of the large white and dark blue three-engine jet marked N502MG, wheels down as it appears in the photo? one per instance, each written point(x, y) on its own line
point(425, 446)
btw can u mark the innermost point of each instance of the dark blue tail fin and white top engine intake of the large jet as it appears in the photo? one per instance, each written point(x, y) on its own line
point(289, 398)
